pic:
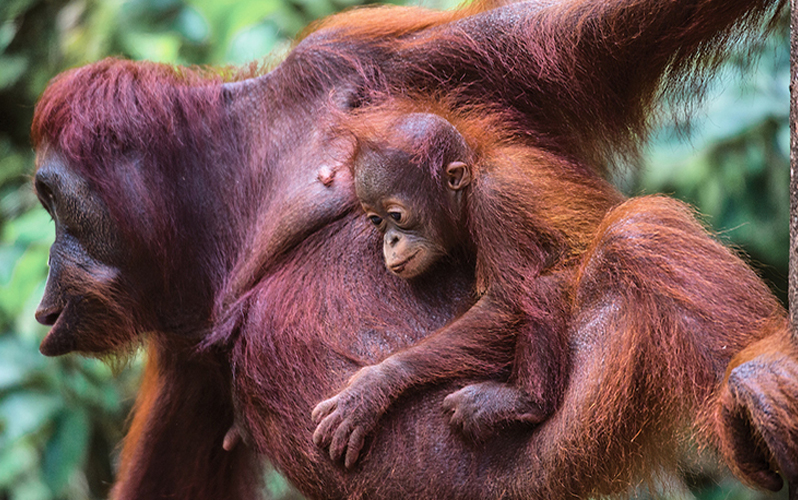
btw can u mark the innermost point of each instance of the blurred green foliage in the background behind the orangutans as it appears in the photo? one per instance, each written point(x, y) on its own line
point(61, 419)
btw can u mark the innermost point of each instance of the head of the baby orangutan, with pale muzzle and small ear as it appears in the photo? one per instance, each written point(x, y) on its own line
point(415, 199)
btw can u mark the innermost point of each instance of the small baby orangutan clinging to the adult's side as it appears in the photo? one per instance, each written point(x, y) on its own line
point(432, 196)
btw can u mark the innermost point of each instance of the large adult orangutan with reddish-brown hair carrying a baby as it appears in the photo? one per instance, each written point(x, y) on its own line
point(217, 222)
